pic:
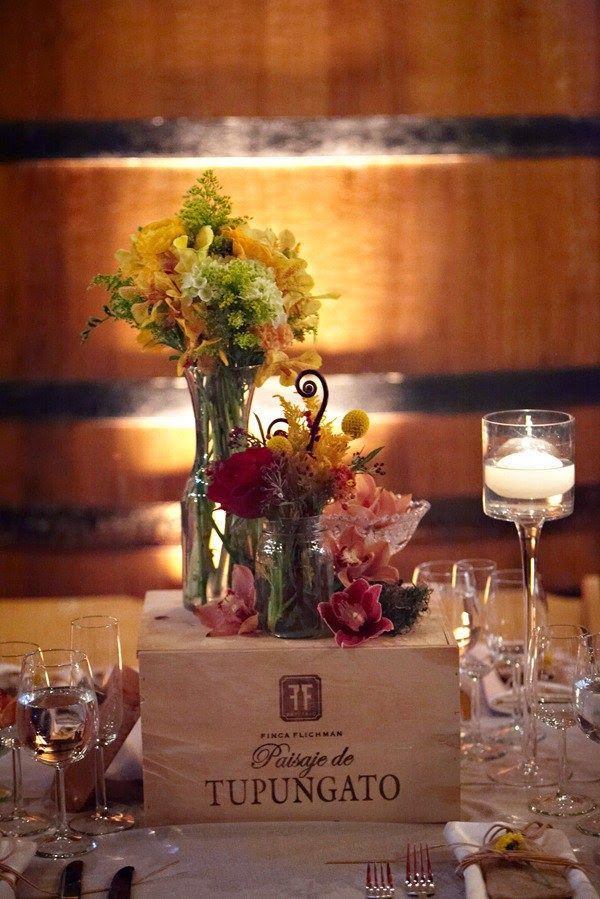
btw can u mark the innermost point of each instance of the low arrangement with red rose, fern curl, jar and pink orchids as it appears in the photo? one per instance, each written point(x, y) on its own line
point(292, 475)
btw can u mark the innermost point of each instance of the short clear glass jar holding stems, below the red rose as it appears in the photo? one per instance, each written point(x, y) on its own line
point(294, 573)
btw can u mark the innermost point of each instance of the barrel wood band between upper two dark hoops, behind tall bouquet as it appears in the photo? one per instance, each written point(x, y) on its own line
point(453, 265)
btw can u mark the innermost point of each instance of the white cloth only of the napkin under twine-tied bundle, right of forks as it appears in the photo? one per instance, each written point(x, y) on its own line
point(473, 832)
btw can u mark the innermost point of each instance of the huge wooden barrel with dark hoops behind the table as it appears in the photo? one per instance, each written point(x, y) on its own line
point(446, 184)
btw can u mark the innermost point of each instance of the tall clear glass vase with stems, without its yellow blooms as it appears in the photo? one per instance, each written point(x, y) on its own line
point(212, 541)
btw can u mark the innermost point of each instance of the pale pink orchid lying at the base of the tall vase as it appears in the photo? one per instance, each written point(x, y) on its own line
point(236, 612)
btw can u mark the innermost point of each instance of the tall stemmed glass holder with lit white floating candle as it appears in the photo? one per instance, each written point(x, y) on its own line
point(528, 478)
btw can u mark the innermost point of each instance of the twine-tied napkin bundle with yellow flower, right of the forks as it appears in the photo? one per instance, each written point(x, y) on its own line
point(539, 870)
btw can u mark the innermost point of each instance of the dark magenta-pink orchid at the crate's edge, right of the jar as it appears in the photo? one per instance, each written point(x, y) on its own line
point(355, 615)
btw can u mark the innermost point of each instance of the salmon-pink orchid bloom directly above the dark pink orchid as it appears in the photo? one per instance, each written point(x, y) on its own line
point(355, 557)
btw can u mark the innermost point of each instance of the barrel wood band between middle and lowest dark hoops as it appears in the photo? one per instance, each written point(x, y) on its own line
point(119, 464)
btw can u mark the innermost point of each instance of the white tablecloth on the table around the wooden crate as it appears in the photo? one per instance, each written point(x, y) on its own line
point(302, 860)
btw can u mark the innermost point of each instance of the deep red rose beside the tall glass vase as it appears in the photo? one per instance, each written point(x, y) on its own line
point(237, 483)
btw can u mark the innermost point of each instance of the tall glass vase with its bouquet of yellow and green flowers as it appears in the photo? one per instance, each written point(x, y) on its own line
point(228, 302)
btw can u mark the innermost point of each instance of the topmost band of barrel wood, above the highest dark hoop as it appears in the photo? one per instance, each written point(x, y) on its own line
point(117, 58)
